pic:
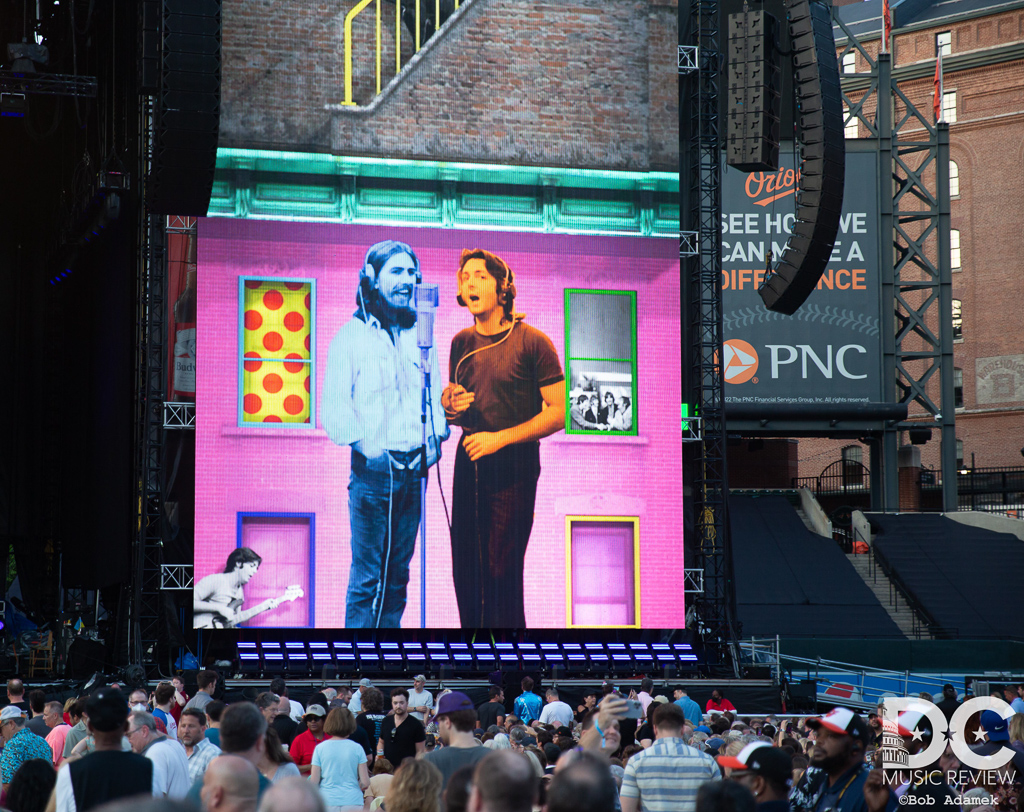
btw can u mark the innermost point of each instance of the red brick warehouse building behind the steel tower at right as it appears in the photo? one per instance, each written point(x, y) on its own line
point(984, 65)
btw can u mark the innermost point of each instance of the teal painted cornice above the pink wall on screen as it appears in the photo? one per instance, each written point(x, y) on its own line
point(323, 188)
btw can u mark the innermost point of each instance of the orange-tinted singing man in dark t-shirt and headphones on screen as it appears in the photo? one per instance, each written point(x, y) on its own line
point(507, 392)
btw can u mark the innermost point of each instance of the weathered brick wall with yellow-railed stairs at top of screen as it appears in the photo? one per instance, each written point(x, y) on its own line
point(589, 84)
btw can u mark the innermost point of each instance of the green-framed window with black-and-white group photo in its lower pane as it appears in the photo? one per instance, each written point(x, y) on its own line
point(602, 359)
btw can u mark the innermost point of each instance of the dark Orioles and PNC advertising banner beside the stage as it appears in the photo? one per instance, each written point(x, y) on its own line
point(830, 352)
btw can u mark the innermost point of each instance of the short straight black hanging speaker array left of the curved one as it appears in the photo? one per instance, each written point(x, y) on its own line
point(754, 100)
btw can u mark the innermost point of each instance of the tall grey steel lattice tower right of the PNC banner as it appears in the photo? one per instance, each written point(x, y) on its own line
point(917, 277)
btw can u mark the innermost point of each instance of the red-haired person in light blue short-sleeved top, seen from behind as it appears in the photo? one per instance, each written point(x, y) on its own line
point(339, 766)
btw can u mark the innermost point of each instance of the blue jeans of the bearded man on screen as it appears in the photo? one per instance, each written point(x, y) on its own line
point(382, 544)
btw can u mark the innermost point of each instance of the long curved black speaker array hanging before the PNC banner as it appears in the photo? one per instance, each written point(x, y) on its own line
point(823, 167)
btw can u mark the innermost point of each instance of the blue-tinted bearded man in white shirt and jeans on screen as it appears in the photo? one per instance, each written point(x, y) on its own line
point(372, 402)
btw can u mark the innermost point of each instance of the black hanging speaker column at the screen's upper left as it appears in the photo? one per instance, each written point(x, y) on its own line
point(187, 118)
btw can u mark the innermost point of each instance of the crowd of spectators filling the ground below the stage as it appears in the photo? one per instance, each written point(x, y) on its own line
point(350, 750)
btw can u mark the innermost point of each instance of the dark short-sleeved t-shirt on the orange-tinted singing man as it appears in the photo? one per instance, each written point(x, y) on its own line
point(506, 377)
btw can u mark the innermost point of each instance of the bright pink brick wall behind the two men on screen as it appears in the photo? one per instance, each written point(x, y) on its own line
point(300, 471)
